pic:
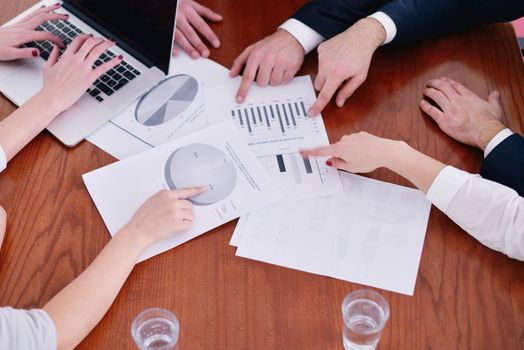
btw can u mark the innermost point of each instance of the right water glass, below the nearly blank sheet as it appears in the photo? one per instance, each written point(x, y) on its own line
point(364, 315)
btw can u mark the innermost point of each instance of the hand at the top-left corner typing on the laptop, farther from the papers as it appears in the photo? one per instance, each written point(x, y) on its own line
point(23, 32)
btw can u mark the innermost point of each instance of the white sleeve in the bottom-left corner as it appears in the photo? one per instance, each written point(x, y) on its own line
point(27, 330)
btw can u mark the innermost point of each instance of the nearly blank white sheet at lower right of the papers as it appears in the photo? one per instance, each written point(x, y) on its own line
point(373, 234)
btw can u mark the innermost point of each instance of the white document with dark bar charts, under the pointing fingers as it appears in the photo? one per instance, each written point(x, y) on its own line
point(274, 122)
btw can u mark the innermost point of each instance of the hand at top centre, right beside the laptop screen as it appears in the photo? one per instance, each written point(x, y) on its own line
point(190, 23)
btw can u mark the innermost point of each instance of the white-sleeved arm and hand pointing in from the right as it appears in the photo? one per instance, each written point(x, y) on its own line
point(463, 197)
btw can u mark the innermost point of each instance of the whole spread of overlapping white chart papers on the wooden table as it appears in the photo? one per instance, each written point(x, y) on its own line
point(302, 214)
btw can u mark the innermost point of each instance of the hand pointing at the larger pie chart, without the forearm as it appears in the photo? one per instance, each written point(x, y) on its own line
point(164, 214)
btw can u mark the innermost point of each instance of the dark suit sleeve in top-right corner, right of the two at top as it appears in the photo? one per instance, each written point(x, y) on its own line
point(419, 19)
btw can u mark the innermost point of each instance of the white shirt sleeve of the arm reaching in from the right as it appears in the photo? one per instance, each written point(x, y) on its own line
point(489, 211)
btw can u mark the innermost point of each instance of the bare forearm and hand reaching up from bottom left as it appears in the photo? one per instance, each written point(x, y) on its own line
point(77, 308)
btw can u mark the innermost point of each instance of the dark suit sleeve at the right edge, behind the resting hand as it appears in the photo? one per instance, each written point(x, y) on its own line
point(505, 164)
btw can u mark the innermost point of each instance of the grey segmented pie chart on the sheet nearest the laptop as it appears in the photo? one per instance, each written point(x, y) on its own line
point(166, 100)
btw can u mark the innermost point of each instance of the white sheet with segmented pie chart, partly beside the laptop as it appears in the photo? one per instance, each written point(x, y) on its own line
point(127, 134)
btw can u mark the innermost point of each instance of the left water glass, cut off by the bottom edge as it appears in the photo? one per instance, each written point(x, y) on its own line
point(156, 329)
